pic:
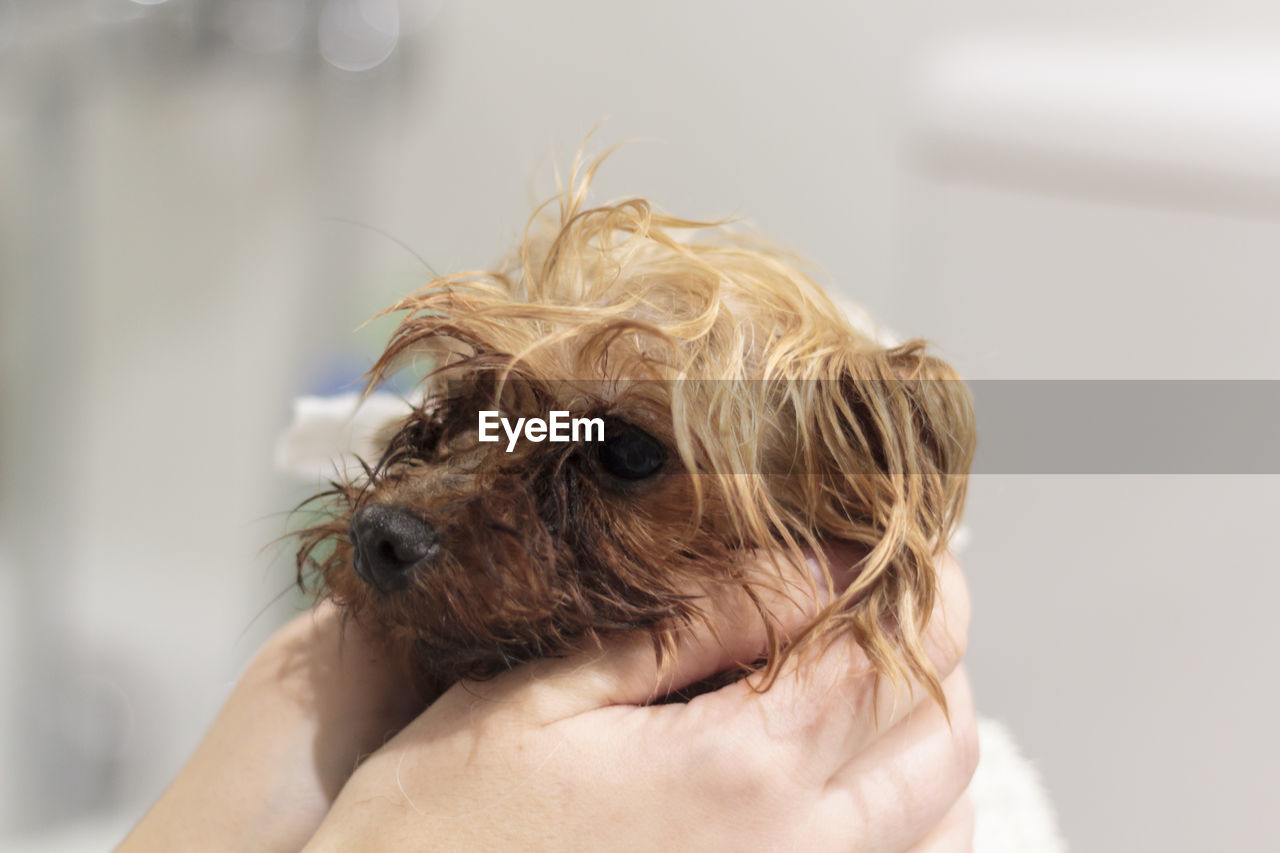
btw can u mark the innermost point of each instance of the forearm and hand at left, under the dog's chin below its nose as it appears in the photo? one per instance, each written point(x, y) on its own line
point(317, 699)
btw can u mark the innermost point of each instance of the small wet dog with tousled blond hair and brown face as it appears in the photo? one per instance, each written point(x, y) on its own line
point(610, 422)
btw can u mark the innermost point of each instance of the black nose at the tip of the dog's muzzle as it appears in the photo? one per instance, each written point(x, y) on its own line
point(388, 542)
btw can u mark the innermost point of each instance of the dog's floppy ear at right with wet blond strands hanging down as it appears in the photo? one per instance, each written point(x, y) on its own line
point(888, 450)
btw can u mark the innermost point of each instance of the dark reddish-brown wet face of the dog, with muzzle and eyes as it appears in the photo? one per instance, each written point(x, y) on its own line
point(478, 558)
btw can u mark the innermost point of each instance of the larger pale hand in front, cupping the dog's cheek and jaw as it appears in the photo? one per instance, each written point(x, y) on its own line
point(565, 755)
